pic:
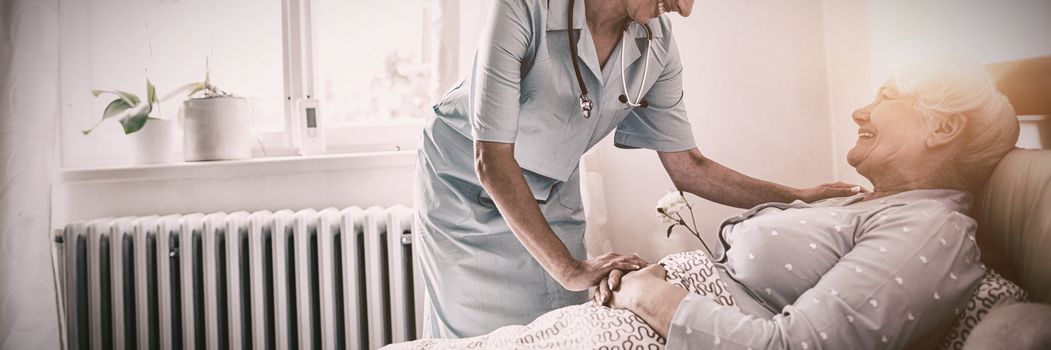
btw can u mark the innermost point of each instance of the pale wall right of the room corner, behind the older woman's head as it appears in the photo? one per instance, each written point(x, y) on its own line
point(868, 37)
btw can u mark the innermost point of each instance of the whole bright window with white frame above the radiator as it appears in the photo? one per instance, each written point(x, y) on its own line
point(366, 63)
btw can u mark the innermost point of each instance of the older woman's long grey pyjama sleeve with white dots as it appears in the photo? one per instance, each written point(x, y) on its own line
point(906, 275)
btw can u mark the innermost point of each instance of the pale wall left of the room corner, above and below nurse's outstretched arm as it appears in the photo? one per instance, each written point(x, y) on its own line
point(757, 96)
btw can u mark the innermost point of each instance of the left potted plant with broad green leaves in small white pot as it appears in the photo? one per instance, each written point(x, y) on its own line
point(152, 136)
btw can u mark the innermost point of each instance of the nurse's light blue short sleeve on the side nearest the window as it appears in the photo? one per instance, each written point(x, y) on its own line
point(497, 80)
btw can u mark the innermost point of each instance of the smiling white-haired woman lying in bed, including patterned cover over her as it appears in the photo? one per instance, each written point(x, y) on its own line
point(871, 272)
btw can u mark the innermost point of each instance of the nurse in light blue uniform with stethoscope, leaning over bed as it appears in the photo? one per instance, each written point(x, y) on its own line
point(501, 223)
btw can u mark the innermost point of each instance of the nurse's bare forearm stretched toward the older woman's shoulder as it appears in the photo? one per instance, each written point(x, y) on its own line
point(692, 173)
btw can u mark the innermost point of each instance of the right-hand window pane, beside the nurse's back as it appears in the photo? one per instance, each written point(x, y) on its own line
point(372, 60)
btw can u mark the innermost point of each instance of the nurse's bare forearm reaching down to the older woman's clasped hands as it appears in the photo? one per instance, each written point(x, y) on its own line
point(503, 178)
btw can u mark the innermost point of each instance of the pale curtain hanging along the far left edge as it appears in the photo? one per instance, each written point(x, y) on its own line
point(29, 125)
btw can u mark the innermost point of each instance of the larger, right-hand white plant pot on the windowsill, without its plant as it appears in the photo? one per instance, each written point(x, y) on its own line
point(217, 129)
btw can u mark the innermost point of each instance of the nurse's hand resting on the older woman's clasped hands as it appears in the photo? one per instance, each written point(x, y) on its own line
point(583, 275)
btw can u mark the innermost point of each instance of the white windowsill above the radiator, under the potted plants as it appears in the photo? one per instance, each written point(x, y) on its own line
point(256, 167)
